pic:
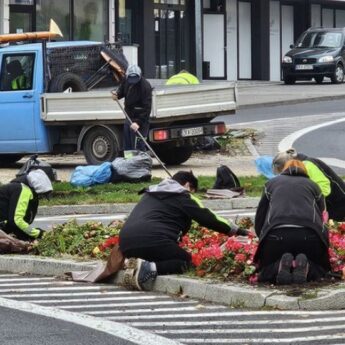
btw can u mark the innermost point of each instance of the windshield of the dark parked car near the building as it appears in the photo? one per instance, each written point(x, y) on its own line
point(320, 39)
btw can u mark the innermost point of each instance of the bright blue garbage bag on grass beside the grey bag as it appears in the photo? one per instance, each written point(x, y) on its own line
point(90, 175)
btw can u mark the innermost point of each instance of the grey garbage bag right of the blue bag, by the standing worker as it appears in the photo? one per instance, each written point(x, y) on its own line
point(136, 168)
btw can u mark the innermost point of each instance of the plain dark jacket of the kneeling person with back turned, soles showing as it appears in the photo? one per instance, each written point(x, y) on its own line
point(291, 199)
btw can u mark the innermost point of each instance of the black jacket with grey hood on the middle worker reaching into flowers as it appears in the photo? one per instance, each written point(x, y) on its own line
point(164, 215)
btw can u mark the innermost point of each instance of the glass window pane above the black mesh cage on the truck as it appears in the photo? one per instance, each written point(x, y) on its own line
point(90, 20)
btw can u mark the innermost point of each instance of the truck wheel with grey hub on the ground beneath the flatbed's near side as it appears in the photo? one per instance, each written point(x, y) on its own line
point(100, 145)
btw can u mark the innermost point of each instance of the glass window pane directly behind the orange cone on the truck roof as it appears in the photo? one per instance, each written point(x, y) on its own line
point(59, 11)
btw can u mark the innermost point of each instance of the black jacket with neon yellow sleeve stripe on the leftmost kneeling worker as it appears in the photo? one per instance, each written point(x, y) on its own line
point(18, 206)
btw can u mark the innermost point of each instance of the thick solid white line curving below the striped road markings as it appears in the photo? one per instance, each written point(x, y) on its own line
point(113, 328)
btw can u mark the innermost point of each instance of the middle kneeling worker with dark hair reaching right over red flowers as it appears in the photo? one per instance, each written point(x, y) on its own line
point(158, 222)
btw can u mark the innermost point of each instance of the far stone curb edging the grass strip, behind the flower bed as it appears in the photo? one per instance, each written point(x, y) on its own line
point(215, 205)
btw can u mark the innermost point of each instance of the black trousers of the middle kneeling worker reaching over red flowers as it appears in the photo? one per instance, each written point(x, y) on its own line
point(169, 259)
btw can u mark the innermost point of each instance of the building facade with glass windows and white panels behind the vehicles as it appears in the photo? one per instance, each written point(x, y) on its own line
point(215, 39)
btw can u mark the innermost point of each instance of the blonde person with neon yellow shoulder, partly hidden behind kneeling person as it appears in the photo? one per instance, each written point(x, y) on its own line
point(331, 185)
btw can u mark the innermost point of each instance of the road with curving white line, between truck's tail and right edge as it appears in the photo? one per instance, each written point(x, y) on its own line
point(316, 129)
